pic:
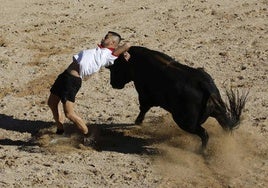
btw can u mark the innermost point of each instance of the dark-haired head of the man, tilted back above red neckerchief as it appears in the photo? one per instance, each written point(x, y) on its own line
point(111, 40)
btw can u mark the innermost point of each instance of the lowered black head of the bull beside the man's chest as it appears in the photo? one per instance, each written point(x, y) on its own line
point(120, 73)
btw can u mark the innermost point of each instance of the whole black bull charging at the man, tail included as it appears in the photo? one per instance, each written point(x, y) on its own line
point(189, 94)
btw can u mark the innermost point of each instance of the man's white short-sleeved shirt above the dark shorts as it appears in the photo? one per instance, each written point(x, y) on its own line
point(90, 61)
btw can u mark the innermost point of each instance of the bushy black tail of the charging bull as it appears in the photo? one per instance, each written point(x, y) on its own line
point(228, 114)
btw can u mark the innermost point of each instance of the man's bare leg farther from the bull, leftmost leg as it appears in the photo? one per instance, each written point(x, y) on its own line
point(53, 103)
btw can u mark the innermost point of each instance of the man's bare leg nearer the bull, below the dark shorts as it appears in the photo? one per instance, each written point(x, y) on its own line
point(68, 108)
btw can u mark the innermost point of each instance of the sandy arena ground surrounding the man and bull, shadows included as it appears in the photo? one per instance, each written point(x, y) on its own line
point(38, 38)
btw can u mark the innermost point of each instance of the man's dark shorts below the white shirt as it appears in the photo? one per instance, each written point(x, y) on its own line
point(66, 87)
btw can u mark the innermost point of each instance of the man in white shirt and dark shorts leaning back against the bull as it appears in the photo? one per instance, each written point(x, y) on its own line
point(69, 82)
